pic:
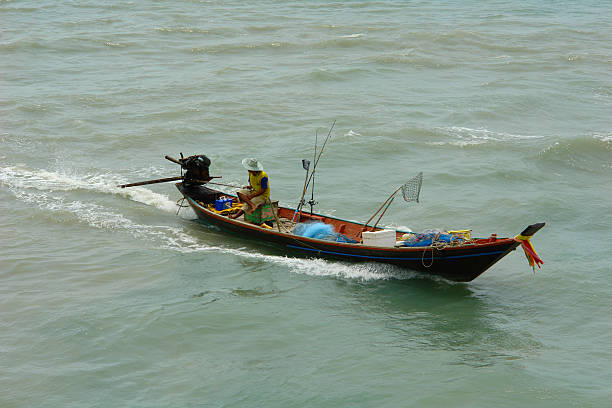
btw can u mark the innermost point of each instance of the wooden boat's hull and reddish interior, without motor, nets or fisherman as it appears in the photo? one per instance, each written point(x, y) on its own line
point(461, 262)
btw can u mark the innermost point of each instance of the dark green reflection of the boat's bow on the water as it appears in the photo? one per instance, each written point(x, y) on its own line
point(425, 314)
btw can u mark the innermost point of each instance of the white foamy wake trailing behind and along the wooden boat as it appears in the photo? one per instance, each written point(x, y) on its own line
point(56, 193)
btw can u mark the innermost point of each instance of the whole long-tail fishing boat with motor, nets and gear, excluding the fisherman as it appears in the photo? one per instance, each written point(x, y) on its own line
point(453, 255)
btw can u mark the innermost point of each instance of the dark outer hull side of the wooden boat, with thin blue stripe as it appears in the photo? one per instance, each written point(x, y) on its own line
point(461, 263)
